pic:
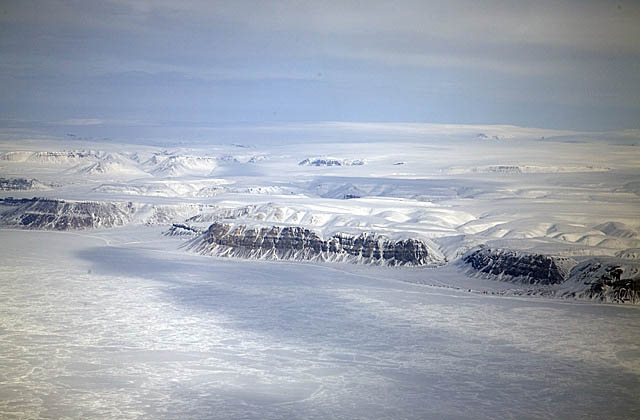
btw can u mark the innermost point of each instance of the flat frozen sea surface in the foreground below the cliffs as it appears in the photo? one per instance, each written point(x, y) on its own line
point(110, 325)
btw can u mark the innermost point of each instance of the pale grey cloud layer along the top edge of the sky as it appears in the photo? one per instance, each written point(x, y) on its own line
point(588, 25)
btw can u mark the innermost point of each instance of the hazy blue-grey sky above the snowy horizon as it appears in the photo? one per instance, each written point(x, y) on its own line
point(558, 64)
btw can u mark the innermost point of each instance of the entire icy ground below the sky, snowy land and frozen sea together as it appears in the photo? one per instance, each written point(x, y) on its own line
point(414, 272)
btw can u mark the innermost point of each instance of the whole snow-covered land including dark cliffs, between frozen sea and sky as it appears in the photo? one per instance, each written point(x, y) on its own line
point(536, 219)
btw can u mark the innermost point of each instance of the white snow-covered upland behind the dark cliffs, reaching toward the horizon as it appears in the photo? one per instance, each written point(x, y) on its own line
point(576, 198)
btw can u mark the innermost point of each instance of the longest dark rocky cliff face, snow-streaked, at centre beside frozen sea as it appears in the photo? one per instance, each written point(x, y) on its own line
point(297, 243)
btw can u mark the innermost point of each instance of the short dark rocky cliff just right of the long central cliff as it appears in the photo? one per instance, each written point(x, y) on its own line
point(518, 266)
